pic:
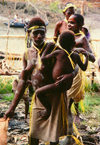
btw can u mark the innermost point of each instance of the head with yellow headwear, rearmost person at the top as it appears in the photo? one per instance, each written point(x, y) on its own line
point(69, 9)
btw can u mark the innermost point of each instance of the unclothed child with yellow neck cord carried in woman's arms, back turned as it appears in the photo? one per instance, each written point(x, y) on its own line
point(65, 60)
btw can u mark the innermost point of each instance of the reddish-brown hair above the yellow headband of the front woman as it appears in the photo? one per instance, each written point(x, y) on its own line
point(36, 21)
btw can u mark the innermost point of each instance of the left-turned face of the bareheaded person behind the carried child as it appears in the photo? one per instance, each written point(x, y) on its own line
point(72, 24)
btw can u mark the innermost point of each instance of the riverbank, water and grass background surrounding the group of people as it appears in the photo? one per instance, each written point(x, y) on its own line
point(12, 44)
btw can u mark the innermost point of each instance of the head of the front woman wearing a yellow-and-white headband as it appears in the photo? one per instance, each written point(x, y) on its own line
point(37, 30)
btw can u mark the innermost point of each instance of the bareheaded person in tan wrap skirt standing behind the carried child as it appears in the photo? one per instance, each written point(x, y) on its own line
point(75, 23)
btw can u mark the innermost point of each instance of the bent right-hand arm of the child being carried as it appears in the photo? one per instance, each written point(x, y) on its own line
point(82, 65)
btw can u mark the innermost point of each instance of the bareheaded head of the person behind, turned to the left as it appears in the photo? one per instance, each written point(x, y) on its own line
point(75, 22)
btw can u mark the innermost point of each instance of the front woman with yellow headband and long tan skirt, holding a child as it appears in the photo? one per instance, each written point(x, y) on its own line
point(52, 128)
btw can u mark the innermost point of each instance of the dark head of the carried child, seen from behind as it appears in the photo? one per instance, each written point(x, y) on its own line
point(67, 40)
